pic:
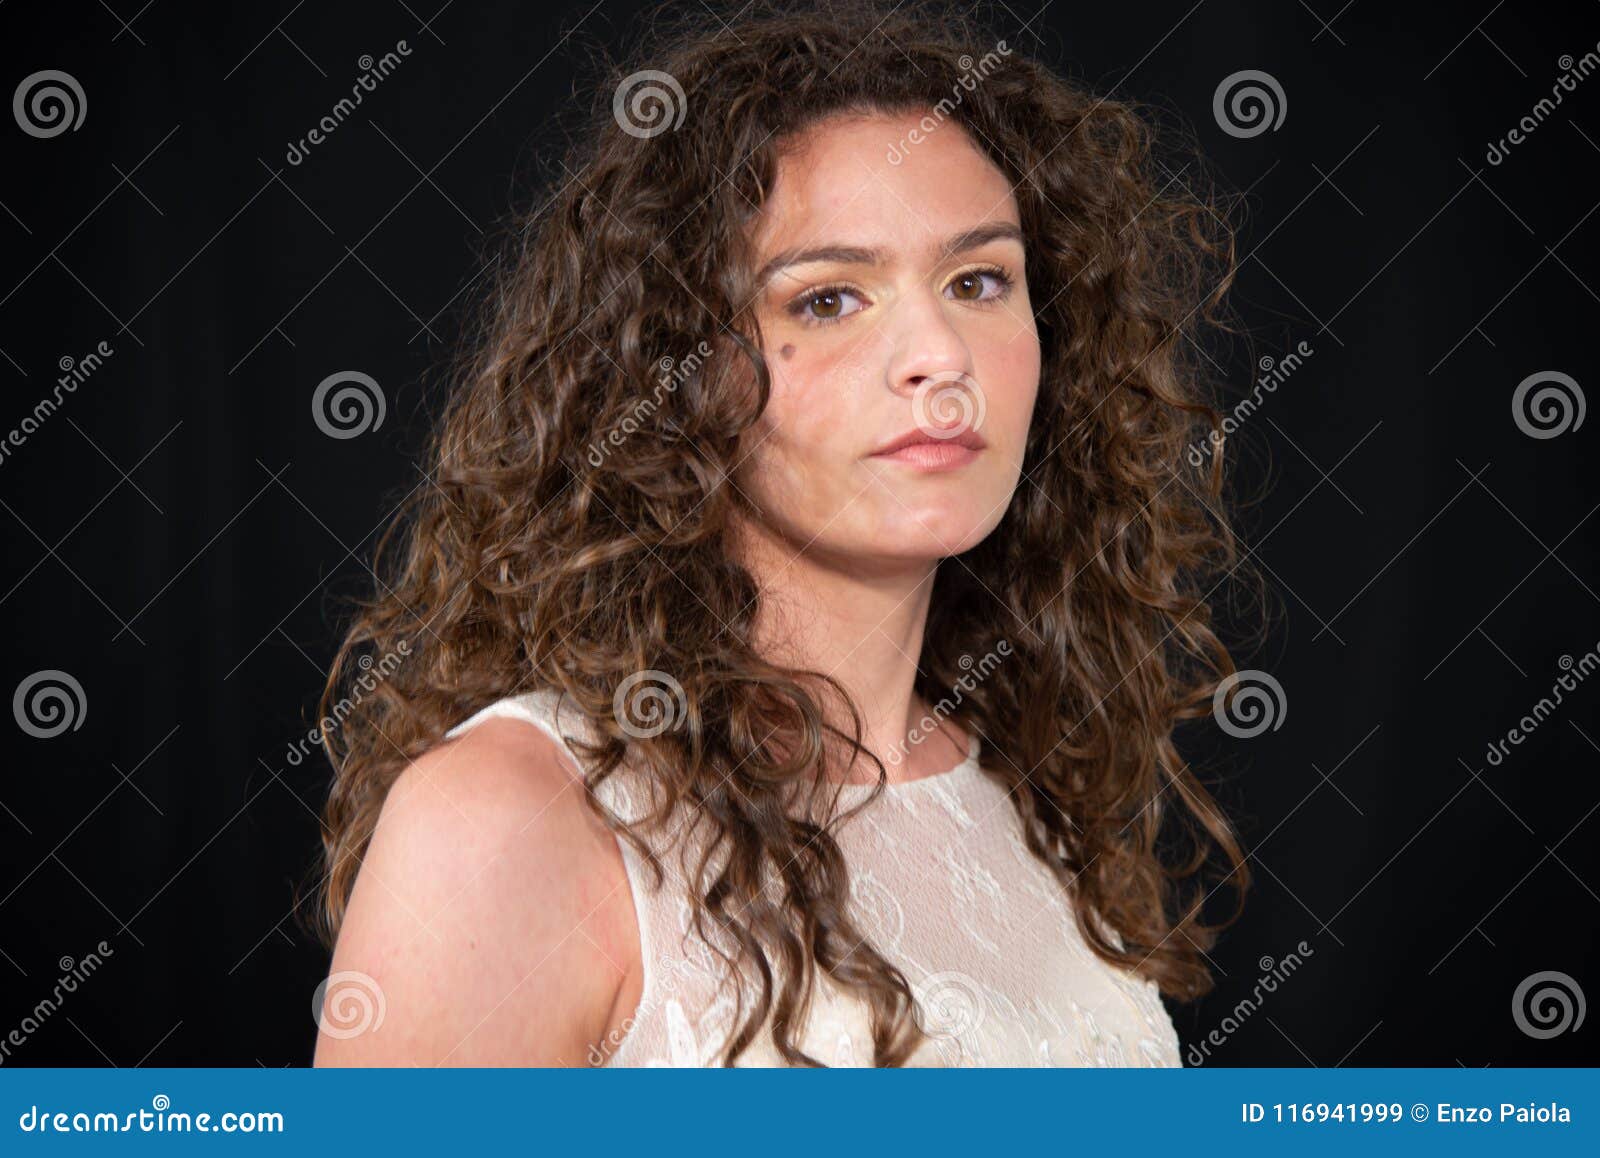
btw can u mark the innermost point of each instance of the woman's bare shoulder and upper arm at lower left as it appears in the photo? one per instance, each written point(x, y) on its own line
point(492, 914)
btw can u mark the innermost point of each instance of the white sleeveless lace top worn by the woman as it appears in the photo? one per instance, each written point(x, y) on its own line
point(945, 888)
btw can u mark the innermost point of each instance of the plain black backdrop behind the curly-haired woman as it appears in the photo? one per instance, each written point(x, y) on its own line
point(182, 532)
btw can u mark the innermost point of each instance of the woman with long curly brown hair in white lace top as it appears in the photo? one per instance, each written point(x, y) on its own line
point(783, 657)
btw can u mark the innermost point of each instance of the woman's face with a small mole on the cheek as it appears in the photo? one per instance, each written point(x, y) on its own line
point(894, 305)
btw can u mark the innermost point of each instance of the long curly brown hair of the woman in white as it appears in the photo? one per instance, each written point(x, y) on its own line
point(551, 551)
